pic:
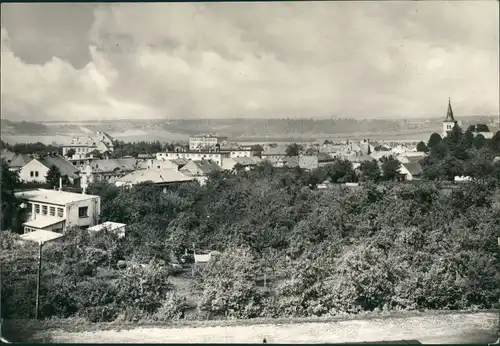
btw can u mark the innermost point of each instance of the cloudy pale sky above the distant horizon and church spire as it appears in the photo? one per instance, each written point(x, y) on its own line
point(252, 60)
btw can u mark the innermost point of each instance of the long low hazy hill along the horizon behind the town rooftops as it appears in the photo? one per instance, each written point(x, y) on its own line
point(244, 129)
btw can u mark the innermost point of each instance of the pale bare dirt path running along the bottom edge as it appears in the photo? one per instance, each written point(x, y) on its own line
point(446, 329)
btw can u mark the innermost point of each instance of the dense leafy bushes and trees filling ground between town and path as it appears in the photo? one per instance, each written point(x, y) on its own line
point(383, 246)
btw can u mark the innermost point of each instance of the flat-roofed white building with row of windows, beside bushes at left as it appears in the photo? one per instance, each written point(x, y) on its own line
point(53, 210)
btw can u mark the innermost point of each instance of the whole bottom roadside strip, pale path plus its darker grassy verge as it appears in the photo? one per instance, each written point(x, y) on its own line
point(427, 327)
